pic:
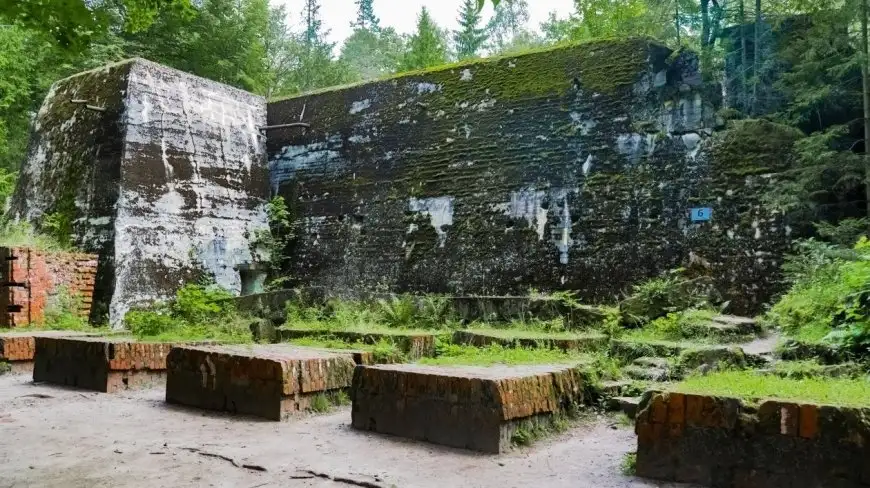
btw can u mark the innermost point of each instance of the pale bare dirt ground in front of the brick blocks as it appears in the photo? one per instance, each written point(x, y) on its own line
point(55, 436)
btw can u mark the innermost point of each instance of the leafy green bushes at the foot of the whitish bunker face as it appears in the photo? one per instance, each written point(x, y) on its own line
point(198, 312)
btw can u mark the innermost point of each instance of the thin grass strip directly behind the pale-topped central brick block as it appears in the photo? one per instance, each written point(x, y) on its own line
point(454, 354)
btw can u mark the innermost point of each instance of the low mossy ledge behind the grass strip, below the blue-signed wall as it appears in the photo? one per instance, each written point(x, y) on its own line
point(579, 342)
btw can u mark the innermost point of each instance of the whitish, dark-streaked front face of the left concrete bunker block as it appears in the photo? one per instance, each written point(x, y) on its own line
point(193, 184)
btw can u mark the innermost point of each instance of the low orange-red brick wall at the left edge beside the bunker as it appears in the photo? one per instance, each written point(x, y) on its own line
point(32, 279)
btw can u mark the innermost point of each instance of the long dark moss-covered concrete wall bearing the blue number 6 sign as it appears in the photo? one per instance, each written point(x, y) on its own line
point(572, 168)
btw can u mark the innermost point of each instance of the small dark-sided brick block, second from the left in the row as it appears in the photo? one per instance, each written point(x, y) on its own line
point(103, 364)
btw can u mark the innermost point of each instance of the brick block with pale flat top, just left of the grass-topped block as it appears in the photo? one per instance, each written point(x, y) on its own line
point(467, 407)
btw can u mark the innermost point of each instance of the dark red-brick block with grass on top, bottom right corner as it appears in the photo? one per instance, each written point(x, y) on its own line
point(723, 442)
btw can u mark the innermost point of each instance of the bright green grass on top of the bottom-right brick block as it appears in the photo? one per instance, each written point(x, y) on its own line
point(753, 386)
